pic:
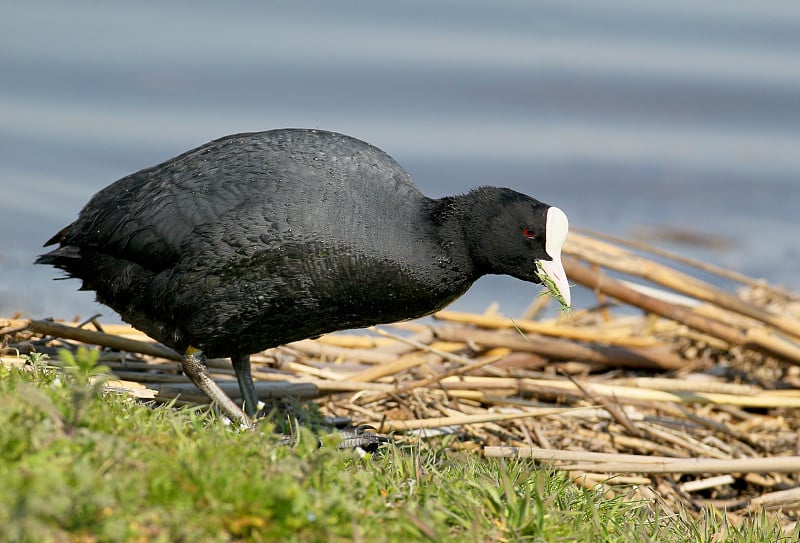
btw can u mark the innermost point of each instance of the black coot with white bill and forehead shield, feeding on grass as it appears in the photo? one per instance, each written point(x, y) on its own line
point(254, 240)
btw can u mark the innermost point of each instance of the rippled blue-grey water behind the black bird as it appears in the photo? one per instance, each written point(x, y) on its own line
point(625, 114)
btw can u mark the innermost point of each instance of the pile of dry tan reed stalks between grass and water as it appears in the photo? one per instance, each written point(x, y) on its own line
point(669, 388)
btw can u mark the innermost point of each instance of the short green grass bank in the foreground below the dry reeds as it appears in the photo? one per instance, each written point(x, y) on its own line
point(80, 465)
